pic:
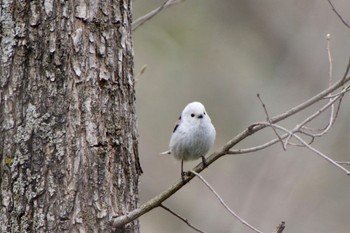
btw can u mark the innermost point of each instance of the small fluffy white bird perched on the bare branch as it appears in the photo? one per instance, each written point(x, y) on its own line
point(193, 135)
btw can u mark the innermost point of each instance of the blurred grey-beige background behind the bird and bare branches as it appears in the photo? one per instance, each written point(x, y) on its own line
point(222, 53)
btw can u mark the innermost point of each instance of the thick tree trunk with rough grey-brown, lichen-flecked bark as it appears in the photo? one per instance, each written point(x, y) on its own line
point(68, 142)
